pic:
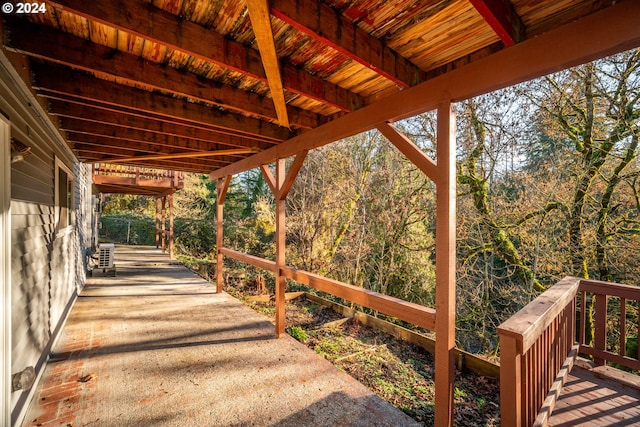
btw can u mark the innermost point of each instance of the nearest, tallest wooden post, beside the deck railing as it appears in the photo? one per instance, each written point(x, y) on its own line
point(445, 264)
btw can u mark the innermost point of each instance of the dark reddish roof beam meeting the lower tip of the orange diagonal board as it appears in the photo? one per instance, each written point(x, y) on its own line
point(69, 82)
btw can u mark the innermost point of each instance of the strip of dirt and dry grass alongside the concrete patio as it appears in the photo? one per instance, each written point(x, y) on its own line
point(397, 371)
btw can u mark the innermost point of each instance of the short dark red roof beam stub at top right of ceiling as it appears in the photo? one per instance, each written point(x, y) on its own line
point(502, 18)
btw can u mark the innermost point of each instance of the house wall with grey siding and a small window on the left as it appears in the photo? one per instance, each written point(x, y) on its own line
point(47, 263)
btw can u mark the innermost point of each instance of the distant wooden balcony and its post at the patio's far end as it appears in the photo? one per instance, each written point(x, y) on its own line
point(160, 184)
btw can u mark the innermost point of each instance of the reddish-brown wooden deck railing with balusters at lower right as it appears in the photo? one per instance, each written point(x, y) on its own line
point(538, 346)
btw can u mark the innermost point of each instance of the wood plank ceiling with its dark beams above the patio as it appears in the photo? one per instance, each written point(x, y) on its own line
point(196, 85)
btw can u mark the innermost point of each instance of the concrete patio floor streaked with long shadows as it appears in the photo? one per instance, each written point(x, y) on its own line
point(156, 346)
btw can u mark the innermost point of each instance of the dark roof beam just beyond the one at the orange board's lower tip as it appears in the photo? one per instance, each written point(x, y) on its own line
point(74, 108)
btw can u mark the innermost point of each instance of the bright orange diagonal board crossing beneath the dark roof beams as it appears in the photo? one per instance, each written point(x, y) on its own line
point(261, 23)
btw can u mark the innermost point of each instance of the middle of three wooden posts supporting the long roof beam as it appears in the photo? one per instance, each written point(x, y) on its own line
point(280, 247)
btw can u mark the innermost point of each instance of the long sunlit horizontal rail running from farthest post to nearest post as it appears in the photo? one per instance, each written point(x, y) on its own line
point(409, 312)
